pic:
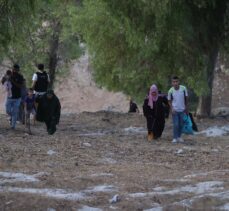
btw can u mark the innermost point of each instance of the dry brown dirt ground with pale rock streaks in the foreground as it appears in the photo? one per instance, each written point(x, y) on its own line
point(94, 157)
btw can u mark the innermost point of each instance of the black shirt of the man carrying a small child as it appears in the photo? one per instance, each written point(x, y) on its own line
point(17, 81)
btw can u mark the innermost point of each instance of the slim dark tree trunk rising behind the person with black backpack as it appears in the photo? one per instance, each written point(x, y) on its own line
point(53, 56)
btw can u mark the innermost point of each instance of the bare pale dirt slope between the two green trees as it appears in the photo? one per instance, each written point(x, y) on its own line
point(78, 92)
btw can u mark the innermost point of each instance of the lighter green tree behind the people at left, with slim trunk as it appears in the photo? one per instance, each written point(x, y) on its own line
point(45, 39)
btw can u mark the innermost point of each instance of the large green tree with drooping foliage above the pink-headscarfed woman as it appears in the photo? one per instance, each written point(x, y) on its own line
point(134, 43)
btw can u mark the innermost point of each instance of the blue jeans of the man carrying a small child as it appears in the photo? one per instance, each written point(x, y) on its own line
point(12, 109)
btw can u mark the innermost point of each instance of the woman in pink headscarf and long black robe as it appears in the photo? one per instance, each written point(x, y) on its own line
point(153, 109)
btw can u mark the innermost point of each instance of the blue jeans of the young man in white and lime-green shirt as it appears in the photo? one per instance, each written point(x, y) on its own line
point(177, 124)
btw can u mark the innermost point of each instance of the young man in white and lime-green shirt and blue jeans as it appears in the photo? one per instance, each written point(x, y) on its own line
point(177, 96)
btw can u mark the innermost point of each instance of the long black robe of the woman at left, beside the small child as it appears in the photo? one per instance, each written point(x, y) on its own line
point(48, 111)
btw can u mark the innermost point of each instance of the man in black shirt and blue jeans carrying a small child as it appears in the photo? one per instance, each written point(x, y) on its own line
point(14, 101)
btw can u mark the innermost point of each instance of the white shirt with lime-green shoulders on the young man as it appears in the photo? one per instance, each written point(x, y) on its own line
point(178, 98)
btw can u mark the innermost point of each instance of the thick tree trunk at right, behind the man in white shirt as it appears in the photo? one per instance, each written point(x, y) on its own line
point(204, 104)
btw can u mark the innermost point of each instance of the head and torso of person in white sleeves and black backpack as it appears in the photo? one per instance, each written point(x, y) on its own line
point(40, 81)
